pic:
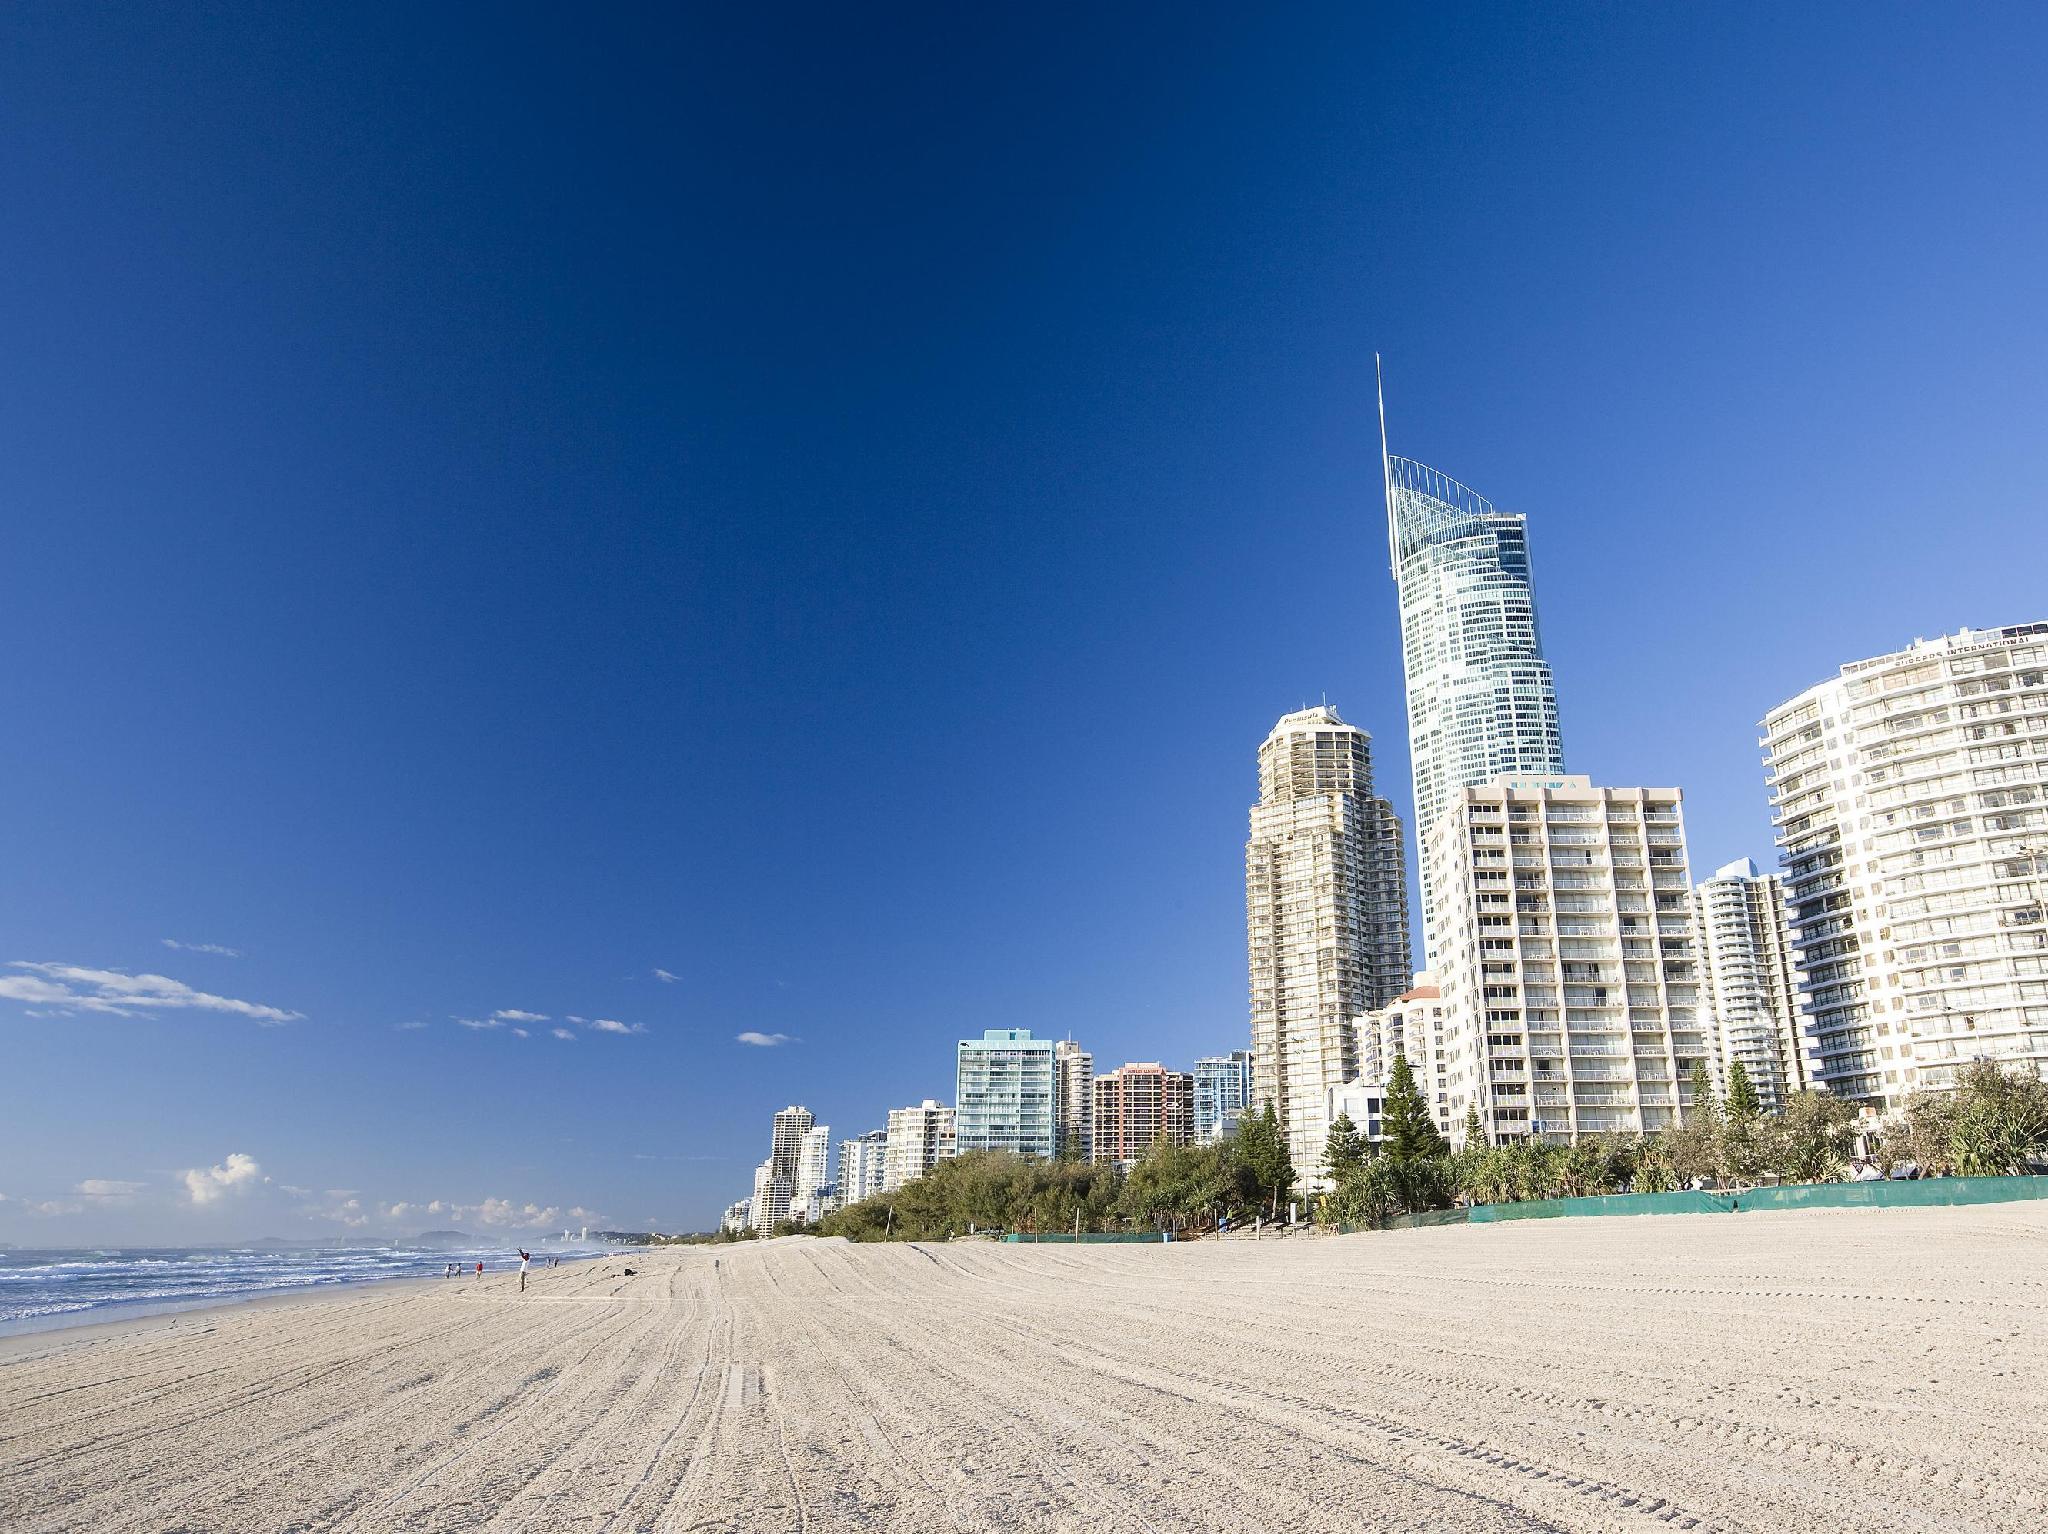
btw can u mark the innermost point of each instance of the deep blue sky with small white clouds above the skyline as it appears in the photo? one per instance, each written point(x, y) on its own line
point(828, 503)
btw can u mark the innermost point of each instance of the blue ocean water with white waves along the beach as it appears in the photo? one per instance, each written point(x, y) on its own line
point(65, 1287)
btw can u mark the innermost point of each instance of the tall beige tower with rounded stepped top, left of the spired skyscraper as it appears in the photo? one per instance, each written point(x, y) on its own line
point(1326, 914)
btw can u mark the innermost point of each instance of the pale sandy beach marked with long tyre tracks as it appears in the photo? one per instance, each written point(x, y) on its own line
point(1814, 1371)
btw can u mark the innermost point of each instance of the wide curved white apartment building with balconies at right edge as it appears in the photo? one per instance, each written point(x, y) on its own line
point(1912, 806)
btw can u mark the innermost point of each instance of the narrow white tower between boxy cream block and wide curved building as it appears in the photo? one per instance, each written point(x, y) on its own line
point(1750, 980)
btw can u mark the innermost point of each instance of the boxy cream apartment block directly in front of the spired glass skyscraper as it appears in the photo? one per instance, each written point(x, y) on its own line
point(1566, 957)
